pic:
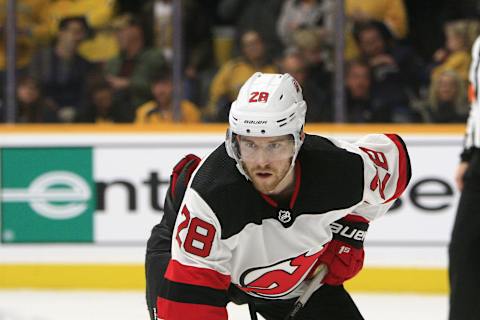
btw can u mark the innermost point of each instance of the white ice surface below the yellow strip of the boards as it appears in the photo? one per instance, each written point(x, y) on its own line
point(114, 305)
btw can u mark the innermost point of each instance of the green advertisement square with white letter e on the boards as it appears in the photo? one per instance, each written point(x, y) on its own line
point(47, 195)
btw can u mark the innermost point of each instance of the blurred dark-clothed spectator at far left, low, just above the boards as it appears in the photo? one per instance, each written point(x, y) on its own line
point(32, 106)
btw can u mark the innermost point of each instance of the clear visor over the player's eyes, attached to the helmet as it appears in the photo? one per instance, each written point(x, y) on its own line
point(273, 148)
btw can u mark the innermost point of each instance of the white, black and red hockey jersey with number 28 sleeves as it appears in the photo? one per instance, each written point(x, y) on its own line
point(227, 233)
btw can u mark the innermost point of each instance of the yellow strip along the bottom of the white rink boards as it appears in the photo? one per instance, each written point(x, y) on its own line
point(131, 277)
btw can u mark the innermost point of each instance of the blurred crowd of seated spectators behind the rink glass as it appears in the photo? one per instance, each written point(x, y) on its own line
point(111, 62)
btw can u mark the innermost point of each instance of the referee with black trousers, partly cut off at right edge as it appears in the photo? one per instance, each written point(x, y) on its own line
point(464, 250)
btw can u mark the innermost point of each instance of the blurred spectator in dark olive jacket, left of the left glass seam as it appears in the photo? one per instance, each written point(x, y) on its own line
point(129, 72)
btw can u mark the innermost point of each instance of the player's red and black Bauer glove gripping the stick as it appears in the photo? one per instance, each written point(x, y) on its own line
point(344, 253)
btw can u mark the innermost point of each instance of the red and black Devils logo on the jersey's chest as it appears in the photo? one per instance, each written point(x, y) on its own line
point(280, 278)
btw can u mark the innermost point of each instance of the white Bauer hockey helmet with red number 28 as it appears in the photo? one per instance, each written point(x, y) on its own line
point(268, 105)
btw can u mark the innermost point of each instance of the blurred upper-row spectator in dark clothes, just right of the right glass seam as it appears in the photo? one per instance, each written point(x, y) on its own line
point(393, 71)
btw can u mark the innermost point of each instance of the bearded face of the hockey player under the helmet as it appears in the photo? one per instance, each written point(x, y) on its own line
point(266, 160)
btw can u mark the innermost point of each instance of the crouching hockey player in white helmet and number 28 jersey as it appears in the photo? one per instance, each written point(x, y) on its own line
point(264, 210)
